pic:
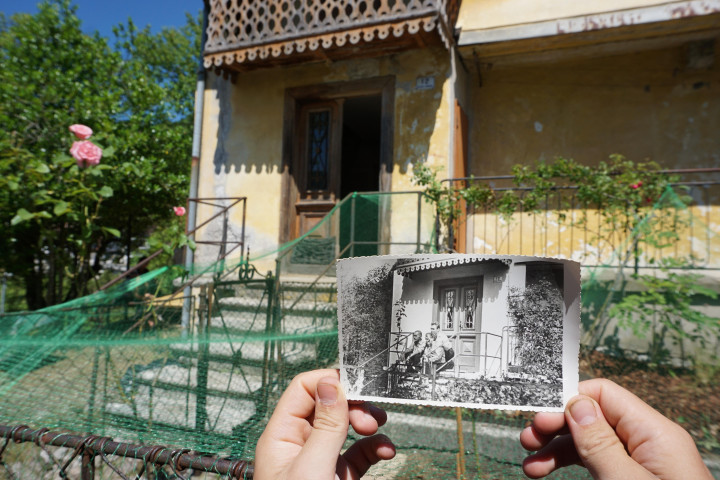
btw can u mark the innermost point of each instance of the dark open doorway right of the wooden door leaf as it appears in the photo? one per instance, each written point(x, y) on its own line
point(360, 172)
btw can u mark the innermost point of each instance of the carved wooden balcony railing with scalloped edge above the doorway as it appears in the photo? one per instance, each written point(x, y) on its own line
point(242, 33)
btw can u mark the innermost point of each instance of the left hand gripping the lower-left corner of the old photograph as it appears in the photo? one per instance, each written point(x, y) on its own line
point(308, 428)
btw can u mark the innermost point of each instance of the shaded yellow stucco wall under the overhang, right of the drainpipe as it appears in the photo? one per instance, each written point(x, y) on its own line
point(644, 105)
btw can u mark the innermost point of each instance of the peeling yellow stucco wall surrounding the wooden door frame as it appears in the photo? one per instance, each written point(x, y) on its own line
point(243, 128)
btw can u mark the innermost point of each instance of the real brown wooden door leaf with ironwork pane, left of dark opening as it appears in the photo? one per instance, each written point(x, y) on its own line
point(317, 165)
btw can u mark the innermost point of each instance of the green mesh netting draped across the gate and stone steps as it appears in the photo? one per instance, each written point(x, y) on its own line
point(120, 363)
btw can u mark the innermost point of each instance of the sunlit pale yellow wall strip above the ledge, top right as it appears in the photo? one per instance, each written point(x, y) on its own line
point(483, 14)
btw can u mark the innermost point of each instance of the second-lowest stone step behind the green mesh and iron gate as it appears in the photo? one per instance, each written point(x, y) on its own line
point(235, 383)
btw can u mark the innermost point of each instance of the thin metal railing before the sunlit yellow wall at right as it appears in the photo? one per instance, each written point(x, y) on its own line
point(562, 226)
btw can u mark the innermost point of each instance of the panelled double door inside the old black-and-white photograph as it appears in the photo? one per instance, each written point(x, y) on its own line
point(459, 319)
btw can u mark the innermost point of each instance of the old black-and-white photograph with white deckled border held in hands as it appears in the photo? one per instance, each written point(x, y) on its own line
point(487, 331)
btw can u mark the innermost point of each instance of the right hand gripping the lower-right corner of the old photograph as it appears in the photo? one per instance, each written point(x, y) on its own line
point(615, 435)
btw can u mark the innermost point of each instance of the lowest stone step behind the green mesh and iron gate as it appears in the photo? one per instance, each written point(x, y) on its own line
point(177, 409)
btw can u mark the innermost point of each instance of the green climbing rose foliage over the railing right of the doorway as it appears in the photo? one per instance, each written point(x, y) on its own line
point(618, 199)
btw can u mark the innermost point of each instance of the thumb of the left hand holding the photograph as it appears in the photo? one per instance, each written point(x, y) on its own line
point(329, 429)
